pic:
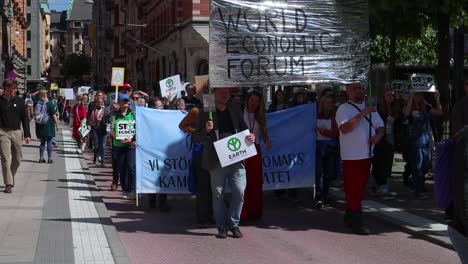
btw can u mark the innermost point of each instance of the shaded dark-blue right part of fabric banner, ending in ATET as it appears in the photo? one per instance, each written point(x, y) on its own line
point(291, 161)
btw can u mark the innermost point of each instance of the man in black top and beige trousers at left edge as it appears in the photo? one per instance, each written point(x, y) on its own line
point(12, 117)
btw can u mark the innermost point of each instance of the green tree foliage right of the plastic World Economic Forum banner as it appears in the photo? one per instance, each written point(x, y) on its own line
point(413, 24)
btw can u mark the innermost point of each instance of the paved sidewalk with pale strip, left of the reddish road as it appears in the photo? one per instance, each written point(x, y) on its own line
point(51, 216)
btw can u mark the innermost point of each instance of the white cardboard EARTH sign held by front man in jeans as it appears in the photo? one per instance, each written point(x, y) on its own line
point(234, 148)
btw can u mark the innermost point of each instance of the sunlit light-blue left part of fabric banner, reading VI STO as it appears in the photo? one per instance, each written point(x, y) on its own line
point(163, 152)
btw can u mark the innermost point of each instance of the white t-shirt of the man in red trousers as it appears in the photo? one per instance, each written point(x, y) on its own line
point(355, 144)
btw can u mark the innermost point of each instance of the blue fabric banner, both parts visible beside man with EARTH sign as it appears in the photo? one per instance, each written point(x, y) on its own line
point(163, 153)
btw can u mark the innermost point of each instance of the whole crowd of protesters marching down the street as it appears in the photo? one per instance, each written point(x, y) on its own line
point(345, 150)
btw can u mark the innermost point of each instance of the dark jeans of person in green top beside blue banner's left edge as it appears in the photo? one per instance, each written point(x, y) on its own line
point(125, 159)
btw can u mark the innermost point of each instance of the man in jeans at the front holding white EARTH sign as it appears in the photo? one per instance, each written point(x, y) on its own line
point(226, 121)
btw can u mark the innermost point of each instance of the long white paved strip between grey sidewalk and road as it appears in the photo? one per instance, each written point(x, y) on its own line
point(90, 244)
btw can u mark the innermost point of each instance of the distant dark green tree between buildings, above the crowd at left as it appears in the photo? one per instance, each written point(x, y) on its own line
point(76, 65)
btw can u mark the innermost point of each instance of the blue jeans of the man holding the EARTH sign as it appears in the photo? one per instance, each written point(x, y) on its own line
point(235, 176)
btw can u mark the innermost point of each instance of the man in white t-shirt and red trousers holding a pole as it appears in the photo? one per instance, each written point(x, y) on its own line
point(360, 130)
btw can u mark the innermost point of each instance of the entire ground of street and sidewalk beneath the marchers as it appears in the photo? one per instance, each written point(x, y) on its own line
point(65, 213)
